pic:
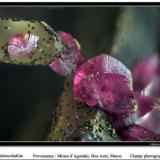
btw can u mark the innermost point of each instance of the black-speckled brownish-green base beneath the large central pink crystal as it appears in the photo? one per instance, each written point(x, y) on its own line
point(74, 121)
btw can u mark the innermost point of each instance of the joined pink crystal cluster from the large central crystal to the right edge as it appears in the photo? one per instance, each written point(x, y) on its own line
point(105, 82)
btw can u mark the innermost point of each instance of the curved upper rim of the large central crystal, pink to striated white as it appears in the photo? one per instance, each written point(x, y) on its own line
point(100, 64)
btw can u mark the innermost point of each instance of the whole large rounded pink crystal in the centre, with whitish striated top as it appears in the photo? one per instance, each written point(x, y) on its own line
point(105, 82)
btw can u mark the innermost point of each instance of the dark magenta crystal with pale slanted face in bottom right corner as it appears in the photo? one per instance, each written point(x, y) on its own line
point(145, 128)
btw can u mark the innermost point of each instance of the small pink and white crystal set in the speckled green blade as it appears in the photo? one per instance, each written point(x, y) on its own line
point(22, 44)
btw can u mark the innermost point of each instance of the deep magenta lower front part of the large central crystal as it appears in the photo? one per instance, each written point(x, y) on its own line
point(109, 91)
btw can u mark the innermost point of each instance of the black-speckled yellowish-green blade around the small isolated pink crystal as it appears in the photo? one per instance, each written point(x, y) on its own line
point(49, 44)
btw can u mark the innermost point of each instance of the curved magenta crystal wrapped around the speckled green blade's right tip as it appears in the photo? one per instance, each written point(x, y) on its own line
point(70, 60)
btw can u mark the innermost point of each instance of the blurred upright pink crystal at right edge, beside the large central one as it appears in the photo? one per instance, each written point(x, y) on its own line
point(147, 83)
